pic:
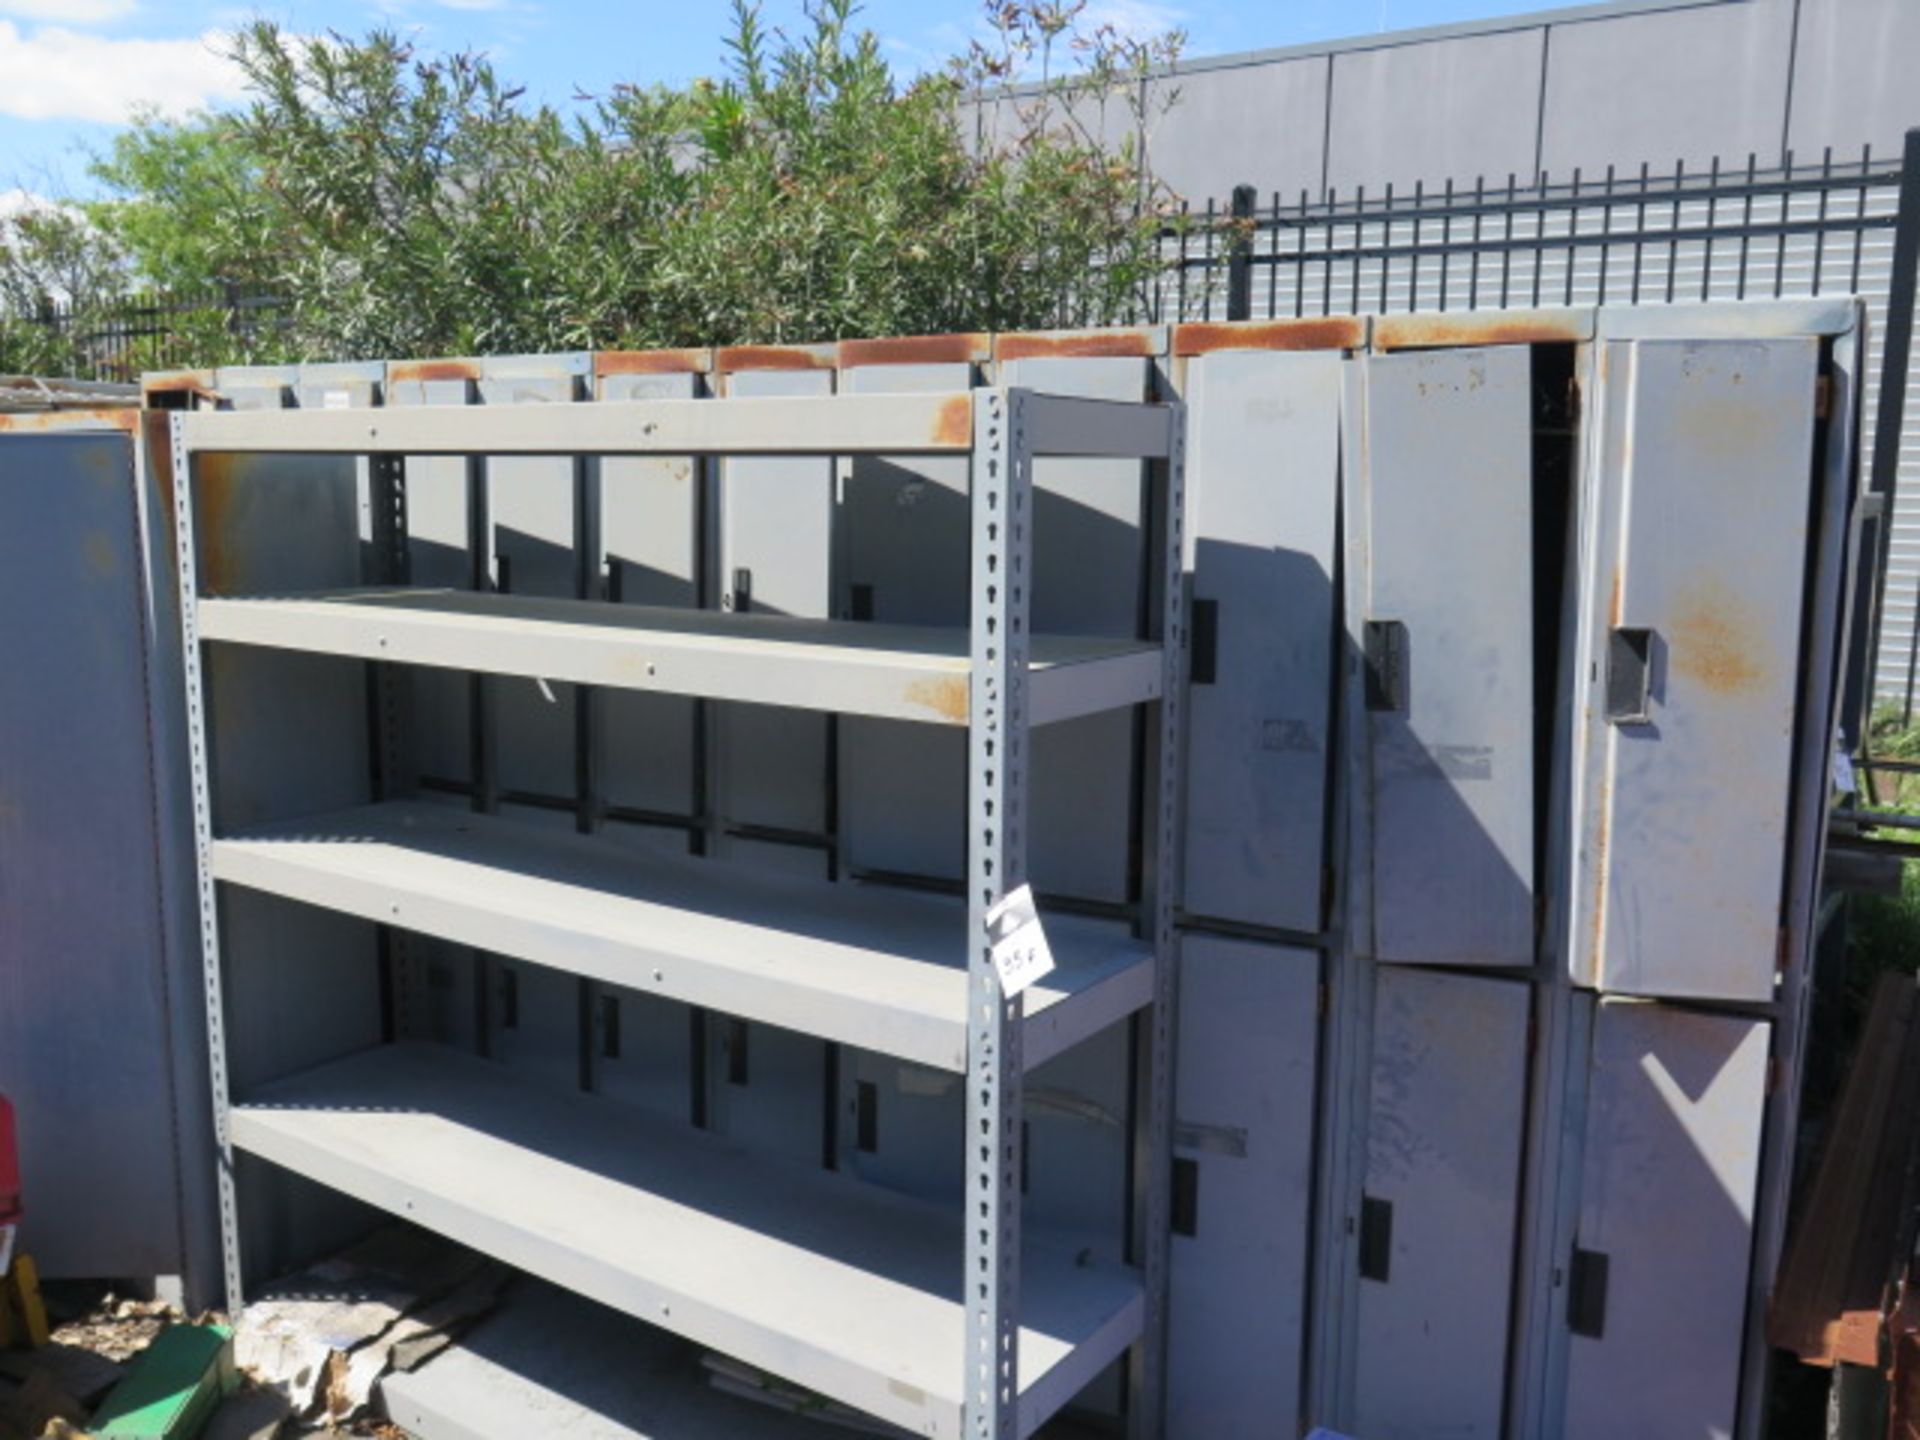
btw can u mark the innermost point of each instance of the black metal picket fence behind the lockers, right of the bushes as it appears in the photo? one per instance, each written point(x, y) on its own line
point(1825, 228)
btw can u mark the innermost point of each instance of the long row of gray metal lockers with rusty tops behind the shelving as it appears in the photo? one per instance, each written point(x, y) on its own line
point(1508, 636)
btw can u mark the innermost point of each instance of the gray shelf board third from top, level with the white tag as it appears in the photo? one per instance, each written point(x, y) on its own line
point(863, 965)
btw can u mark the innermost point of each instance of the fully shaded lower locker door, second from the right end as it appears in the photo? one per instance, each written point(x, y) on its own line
point(1441, 1205)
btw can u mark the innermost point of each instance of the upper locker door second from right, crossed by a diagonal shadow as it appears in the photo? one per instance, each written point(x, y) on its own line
point(1443, 550)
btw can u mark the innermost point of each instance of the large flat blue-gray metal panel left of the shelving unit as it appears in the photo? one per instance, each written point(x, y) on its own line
point(87, 1032)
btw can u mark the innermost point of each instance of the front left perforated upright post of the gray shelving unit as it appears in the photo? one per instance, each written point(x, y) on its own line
point(203, 784)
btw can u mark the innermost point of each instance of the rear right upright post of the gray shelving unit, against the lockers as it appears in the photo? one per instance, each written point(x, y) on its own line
point(1161, 888)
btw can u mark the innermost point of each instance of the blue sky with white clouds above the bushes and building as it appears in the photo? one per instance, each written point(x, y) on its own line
point(72, 70)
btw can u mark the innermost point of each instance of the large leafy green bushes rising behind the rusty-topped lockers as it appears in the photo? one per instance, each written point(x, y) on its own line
point(412, 204)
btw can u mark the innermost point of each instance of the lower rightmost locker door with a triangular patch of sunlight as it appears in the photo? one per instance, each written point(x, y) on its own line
point(1660, 1276)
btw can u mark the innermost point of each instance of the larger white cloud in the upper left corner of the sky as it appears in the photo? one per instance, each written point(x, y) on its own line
point(60, 74)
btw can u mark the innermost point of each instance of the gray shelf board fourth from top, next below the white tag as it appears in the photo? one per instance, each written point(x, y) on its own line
point(821, 1280)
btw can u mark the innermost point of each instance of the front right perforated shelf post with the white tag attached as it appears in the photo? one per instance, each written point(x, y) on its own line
point(997, 865)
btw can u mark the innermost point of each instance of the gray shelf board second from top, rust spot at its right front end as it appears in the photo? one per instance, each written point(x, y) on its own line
point(894, 673)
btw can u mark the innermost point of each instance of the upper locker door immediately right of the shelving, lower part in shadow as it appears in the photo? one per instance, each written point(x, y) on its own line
point(1264, 473)
